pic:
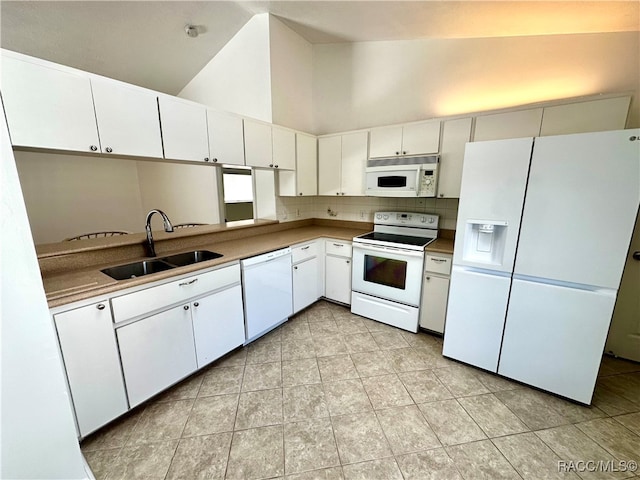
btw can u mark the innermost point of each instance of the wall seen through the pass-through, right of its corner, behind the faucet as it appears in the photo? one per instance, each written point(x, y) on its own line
point(187, 193)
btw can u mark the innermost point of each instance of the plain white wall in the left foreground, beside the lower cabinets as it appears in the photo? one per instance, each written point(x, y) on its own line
point(36, 423)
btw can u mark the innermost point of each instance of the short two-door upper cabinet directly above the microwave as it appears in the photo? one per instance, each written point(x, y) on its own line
point(411, 139)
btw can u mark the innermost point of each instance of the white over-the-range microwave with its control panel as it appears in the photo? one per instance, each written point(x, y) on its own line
point(402, 176)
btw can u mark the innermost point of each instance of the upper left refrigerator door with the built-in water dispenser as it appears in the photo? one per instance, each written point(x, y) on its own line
point(494, 180)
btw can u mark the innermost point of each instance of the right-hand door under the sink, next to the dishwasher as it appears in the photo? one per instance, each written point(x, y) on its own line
point(218, 324)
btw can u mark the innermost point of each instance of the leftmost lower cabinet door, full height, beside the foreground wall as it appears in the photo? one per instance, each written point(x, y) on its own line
point(92, 364)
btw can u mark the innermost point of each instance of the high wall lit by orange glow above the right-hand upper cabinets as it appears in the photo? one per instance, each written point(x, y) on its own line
point(366, 84)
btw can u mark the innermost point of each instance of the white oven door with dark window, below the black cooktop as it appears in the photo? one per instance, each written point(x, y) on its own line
point(388, 272)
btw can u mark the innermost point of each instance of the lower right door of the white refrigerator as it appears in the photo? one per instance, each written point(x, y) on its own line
point(554, 337)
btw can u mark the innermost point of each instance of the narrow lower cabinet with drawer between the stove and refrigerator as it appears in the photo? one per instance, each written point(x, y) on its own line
point(435, 292)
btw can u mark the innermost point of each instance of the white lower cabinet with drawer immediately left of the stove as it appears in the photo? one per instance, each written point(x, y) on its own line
point(338, 271)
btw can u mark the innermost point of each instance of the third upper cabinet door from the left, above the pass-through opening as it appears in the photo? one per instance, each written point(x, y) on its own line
point(184, 130)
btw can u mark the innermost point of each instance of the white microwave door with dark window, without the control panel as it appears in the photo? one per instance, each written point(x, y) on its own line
point(393, 182)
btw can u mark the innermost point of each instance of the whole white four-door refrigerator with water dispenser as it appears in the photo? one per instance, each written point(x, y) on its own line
point(543, 230)
